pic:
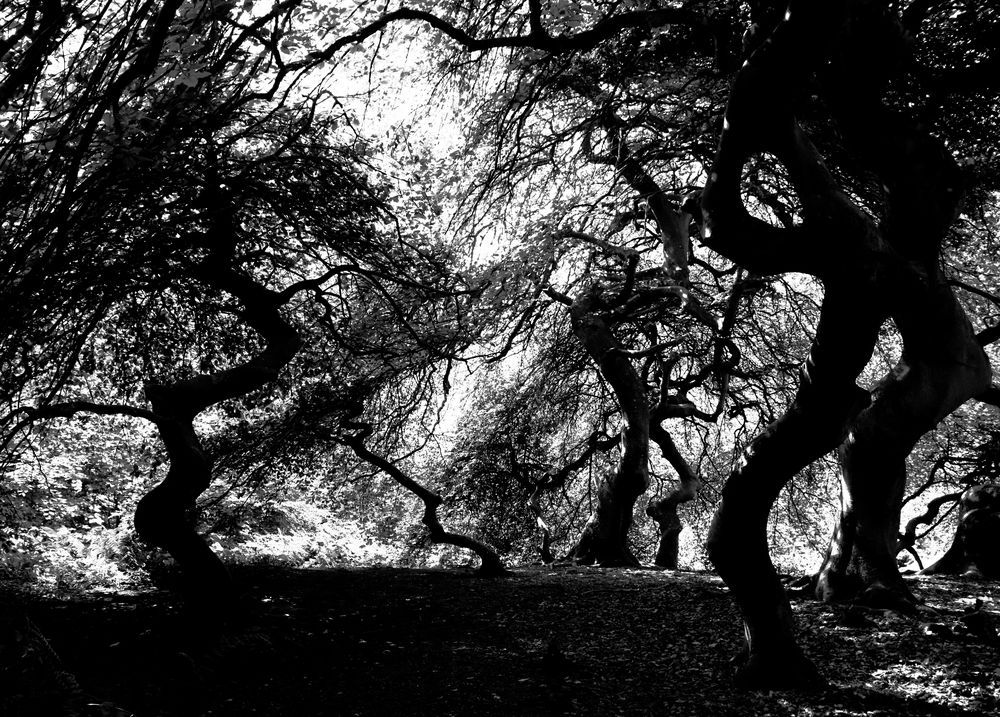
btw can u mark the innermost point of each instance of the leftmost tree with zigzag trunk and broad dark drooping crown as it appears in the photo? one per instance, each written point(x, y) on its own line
point(197, 215)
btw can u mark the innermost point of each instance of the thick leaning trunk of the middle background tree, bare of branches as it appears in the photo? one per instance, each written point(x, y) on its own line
point(604, 539)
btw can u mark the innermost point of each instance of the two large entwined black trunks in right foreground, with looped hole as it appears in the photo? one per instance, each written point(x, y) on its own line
point(870, 273)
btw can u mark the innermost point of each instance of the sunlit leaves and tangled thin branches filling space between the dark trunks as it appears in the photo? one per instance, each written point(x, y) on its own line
point(441, 235)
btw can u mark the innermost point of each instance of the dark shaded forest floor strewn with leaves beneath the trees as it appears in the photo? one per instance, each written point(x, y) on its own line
point(546, 641)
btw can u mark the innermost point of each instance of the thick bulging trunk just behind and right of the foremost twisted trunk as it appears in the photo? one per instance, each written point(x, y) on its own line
point(942, 364)
